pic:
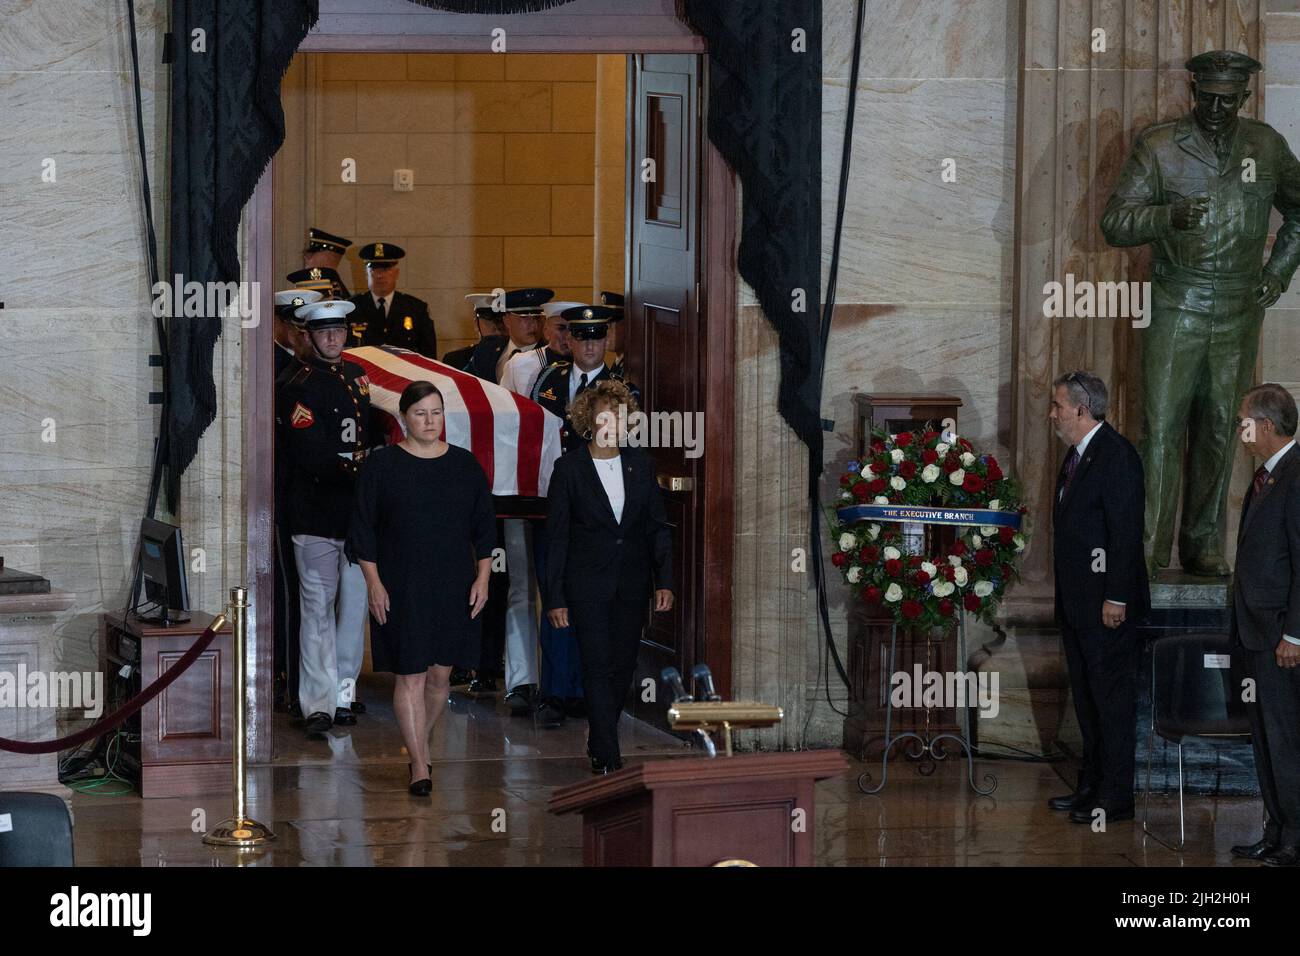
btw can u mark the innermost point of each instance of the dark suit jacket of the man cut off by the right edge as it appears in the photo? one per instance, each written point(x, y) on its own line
point(1267, 581)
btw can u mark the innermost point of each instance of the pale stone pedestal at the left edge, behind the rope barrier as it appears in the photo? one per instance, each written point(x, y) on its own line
point(28, 615)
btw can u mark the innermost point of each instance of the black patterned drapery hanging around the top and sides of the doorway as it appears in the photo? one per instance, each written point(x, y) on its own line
point(765, 118)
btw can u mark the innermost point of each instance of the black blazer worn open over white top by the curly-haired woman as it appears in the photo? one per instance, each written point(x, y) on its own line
point(592, 557)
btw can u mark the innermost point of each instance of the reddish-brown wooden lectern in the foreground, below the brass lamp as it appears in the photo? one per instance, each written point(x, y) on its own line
point(700, 812)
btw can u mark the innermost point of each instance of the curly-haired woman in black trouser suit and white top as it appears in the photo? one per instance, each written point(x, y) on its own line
point(610, 544)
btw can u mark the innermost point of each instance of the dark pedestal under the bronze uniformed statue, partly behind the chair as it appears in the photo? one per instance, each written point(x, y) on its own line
point(1188, 604)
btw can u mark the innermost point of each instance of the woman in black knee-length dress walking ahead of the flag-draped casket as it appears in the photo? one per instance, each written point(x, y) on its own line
point(423, 531)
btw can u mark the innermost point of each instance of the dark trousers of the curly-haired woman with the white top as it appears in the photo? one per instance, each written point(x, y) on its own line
point(609, 634)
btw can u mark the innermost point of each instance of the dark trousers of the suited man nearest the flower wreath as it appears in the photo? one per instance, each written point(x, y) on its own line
point(1103, 665)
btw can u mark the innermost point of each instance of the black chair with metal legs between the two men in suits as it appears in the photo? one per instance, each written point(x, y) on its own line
point(1194, 698)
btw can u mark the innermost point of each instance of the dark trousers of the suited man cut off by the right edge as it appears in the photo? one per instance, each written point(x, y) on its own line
point(1276, 738)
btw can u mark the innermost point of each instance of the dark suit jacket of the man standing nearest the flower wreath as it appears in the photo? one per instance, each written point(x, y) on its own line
point(1104, 509)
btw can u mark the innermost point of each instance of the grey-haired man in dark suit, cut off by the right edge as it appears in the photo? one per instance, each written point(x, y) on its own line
point(1266, 617)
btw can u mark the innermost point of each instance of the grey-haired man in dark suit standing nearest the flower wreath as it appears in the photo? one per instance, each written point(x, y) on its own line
point(1102, 592)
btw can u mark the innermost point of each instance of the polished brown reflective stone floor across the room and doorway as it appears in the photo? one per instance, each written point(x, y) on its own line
point(344, 803)
